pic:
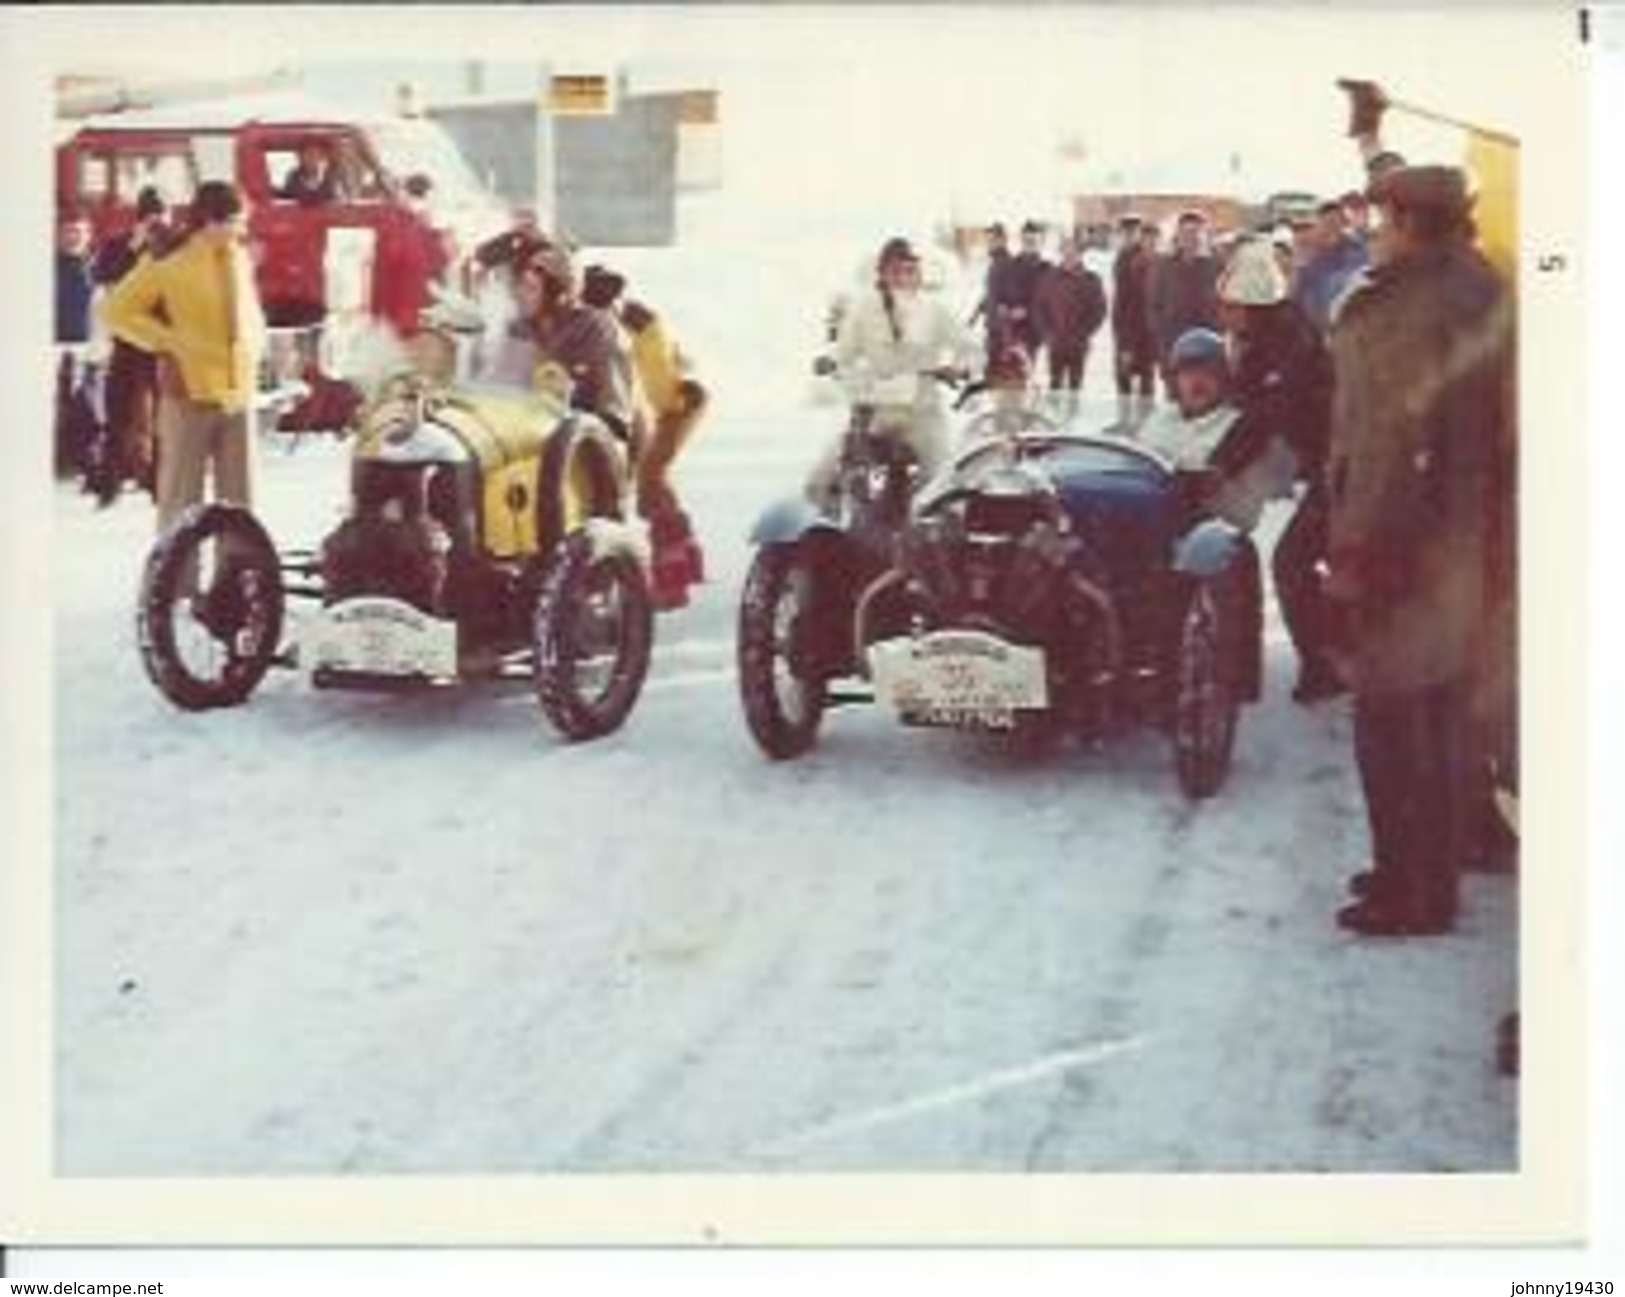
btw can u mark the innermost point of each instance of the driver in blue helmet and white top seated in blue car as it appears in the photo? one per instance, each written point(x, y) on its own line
point(1202, 420)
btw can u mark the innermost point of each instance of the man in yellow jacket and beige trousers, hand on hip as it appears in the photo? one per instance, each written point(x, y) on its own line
point(199, 313)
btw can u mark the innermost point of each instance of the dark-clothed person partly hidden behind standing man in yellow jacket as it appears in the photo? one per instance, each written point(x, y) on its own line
point(128, 449)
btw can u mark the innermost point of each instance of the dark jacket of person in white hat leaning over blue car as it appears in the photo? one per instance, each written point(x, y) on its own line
point(1283, 380)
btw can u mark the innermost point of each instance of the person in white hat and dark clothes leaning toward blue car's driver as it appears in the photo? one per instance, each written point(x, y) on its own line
point(1283, 383)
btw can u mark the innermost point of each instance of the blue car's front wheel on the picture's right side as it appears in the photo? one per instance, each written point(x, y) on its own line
point(1205, 701)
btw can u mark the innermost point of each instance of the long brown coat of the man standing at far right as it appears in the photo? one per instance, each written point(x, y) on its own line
point(1419, 480)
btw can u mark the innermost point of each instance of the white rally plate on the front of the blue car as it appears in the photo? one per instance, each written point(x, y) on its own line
point(964, 679)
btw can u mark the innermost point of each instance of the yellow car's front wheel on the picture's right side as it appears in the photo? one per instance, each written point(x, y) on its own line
point(592, 635)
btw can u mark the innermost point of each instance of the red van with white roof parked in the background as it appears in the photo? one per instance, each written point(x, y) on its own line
point(256, 142)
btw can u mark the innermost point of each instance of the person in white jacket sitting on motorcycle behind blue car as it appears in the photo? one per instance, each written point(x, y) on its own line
point(893, 347)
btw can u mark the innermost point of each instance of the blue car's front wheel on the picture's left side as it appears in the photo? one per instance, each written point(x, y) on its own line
point(784, 698)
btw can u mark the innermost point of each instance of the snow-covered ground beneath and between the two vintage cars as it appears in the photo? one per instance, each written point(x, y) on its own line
point(353, 934)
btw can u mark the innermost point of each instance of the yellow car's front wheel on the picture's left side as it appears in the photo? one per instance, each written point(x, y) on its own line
point(210, 610)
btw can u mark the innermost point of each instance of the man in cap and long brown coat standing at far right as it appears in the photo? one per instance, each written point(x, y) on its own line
point(1419, 508)
